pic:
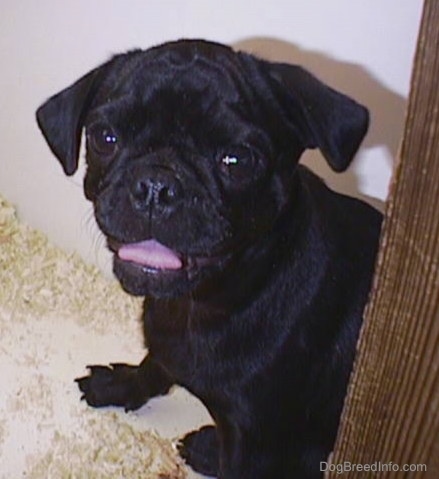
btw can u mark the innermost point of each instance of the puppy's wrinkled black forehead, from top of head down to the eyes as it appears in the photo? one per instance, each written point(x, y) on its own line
point(151, 95)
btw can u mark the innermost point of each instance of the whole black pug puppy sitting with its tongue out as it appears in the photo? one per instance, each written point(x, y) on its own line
point(255, 273)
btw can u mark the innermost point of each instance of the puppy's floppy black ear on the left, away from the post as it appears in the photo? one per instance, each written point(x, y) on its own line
point(61, 119)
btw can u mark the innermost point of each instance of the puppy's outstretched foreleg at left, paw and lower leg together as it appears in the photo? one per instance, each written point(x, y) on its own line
point(124, 385)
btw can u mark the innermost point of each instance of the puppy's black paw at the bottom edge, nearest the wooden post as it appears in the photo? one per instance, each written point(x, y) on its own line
point(200, 449)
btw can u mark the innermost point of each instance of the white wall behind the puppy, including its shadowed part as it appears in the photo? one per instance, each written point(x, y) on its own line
point(364, 48)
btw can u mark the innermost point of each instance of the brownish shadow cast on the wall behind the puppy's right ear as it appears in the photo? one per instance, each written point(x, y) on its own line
point(387, 108)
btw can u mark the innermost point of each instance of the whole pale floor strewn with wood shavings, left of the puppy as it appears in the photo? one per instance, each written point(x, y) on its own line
point(58, 314)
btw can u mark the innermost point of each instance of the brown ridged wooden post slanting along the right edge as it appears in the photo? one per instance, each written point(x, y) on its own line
point(392, 410)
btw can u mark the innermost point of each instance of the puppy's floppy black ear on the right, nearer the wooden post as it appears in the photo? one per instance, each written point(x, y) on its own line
point(333, 122)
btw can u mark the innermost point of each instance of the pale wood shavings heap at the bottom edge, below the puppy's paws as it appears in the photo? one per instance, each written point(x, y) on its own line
point(107, 447)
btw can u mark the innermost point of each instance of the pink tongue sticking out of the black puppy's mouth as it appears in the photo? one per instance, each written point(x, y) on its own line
point(150, 253)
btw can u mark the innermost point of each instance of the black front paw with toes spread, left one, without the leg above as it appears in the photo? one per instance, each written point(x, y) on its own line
point(114, 385)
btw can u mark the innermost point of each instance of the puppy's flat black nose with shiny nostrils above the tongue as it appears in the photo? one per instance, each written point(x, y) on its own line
point(155, 187)
